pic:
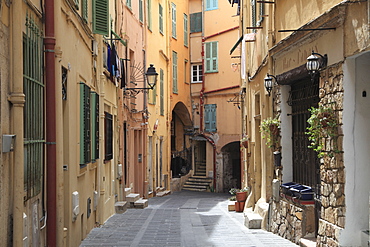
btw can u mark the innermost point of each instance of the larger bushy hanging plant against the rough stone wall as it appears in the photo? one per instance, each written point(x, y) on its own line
point(323, 124)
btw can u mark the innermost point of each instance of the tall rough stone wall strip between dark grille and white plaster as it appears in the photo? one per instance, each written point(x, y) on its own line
point(332, 217)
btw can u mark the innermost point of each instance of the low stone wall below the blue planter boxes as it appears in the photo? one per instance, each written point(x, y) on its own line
point(291, 220)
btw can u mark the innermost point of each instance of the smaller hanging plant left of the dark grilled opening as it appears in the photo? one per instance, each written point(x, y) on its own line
point(270, 129)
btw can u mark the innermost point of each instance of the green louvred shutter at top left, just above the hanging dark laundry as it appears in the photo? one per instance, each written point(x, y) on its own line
point(101, 17)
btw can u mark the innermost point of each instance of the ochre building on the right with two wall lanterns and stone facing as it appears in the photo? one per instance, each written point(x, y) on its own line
point(279, 39)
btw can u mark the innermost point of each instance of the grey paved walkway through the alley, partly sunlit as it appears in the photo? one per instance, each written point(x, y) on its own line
point(186, 219)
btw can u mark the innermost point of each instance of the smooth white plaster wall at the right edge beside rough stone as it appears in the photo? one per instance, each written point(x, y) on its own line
point(356, 145)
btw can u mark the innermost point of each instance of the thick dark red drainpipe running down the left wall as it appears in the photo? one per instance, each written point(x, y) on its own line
point(51, 178)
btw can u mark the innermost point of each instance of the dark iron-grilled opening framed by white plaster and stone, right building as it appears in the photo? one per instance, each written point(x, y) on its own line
point(304, 95)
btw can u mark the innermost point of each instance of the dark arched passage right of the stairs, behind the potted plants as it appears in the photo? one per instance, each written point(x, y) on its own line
point(231, 166)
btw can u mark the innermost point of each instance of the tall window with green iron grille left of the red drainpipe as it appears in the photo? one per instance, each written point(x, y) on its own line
point(33, 86)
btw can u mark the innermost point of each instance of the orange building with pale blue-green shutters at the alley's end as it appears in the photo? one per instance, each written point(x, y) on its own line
point(215, 88)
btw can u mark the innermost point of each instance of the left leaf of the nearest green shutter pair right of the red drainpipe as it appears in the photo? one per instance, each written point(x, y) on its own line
point(85, 125)
